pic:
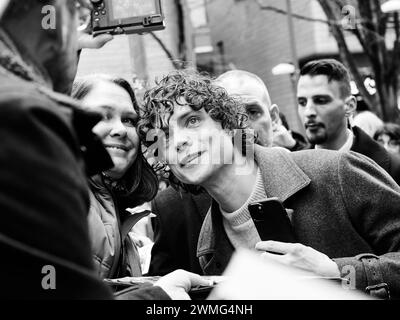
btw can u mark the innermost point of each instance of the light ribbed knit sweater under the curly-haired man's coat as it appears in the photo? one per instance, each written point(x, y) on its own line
point(238, 225)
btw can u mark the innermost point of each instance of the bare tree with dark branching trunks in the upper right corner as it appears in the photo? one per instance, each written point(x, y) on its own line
point(370, 28)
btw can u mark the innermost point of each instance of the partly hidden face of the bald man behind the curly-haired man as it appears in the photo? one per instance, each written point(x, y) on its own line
point(257, 105)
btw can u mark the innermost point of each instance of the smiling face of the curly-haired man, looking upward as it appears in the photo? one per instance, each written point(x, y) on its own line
point(197, 147)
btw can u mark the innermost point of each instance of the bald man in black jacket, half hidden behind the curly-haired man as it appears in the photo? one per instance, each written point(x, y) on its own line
point(180, 216)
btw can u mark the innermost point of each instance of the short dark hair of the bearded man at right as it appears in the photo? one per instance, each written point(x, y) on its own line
point(333, 70)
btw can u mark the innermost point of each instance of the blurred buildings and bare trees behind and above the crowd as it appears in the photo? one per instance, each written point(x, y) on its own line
point(271, 38)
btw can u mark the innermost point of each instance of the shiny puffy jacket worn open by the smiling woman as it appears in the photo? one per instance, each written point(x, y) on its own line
point(115, 254)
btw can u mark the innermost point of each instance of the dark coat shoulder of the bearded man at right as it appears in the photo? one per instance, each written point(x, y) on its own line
point(365, 145)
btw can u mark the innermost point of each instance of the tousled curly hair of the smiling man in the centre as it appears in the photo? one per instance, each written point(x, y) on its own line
point(188, 87)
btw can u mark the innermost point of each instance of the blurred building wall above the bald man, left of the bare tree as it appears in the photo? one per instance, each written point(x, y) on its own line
point(245, 36)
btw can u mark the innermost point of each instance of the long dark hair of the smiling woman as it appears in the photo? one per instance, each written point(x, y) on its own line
point(140, 180)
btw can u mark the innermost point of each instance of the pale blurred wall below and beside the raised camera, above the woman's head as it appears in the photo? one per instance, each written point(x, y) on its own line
point(141, 59)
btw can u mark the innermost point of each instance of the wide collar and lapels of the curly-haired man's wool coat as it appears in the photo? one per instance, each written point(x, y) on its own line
point(282, 178)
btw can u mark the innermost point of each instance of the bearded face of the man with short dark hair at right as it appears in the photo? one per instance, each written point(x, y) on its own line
point(321, 108)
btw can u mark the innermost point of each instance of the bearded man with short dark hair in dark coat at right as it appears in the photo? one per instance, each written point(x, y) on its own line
point(325, 106)
